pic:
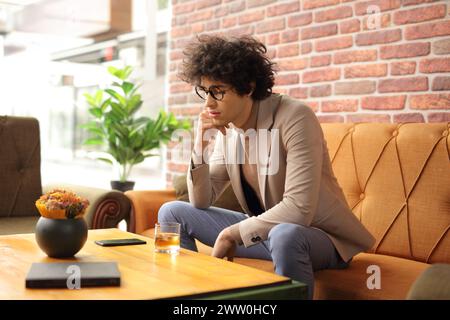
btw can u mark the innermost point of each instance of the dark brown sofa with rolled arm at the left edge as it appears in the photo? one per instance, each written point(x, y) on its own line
point(20, 183)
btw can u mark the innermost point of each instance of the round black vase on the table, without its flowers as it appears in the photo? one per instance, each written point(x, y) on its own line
point(61, 238)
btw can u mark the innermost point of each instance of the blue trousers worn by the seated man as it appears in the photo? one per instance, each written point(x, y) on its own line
point(296, 251)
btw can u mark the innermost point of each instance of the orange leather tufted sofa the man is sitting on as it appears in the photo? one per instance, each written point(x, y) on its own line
point(396, 178)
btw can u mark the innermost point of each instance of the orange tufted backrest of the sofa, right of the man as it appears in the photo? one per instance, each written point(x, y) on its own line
point(396, 179)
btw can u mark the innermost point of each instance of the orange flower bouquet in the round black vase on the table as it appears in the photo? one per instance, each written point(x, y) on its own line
point(61, 204)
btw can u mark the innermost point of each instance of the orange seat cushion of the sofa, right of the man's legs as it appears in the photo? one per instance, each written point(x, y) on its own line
point(397, 277)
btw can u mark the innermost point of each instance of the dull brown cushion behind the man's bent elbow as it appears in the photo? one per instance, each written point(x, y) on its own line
point(226, 200)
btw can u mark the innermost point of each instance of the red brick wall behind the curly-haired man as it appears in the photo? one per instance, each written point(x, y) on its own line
point(351, 61)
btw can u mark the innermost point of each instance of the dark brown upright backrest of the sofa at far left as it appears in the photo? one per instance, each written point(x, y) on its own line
point(20, 159)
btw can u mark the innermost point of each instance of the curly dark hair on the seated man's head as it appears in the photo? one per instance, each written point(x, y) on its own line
point(236, 61)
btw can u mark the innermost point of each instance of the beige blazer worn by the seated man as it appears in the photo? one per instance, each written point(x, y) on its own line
point(295, 178)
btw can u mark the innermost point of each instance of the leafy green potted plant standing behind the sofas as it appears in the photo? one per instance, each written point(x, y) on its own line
point(126, 138)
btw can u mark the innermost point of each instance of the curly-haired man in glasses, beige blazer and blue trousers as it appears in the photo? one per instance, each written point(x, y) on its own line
point(296, 213)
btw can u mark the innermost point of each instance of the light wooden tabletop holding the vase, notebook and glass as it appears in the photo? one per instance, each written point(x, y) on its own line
point(144, 273)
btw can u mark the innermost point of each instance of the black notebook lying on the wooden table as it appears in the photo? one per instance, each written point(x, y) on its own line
point(73, 274)
